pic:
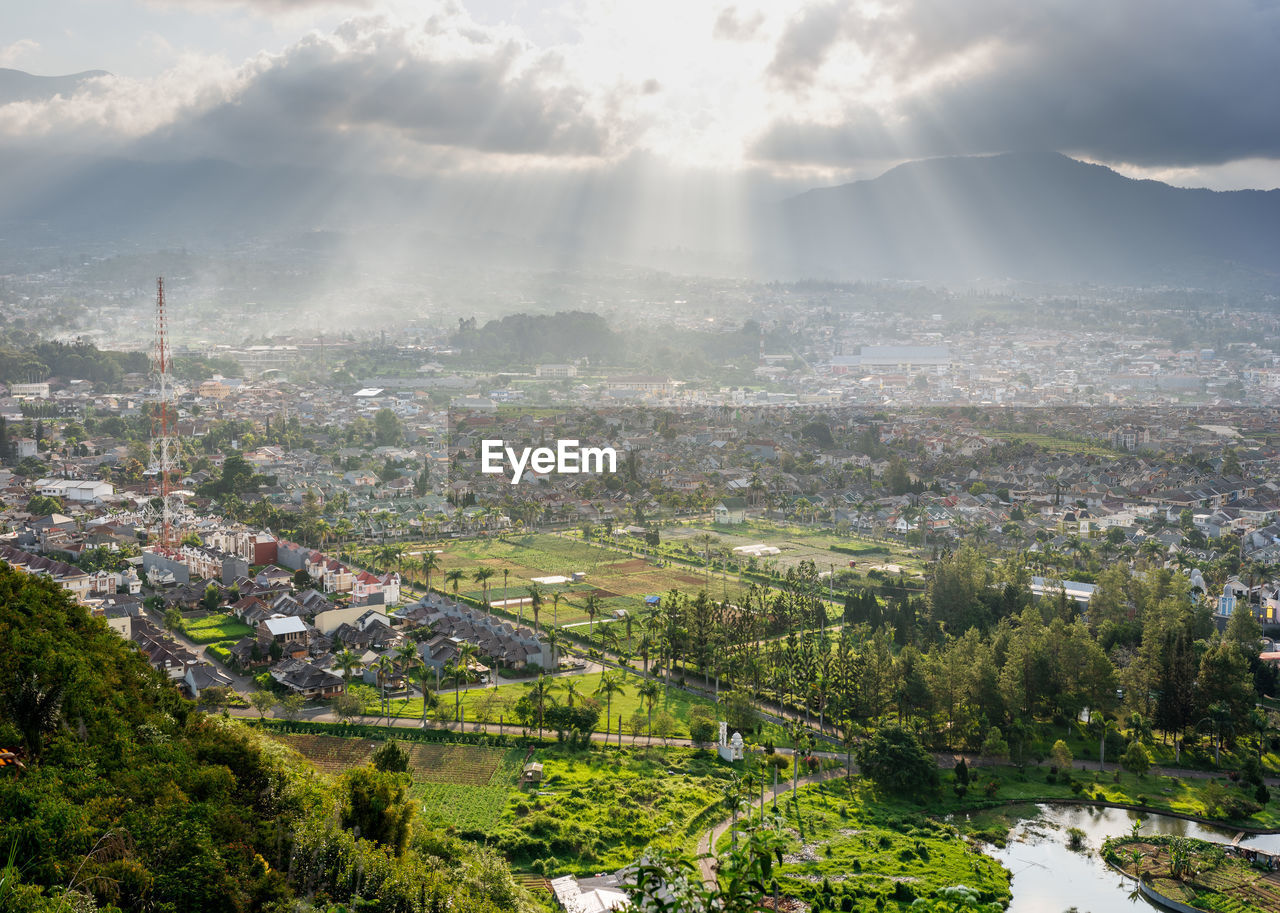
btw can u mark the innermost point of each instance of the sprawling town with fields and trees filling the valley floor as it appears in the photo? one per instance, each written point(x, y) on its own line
point(793, 558)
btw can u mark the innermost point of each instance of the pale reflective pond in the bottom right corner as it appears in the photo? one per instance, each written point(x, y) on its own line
point(1048, 878)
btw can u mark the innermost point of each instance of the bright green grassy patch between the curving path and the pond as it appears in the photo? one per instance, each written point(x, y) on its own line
point(845, 850)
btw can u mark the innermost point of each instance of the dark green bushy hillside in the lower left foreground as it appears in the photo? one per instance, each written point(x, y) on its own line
point(134, 800)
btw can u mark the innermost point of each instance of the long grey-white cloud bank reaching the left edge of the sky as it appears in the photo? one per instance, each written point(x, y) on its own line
point(373, 94)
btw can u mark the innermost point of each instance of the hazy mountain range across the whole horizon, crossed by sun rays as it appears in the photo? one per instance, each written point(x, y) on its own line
point(1036, 217)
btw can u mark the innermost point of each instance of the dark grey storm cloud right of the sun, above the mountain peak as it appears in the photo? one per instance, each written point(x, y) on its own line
point(1144, 81)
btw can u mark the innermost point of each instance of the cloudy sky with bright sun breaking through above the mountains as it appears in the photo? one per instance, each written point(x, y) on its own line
point(799, 93)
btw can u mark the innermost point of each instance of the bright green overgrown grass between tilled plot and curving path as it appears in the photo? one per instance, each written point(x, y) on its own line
point(598, 811)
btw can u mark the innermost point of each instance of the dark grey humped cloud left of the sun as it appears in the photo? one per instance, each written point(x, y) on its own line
point(376, 93)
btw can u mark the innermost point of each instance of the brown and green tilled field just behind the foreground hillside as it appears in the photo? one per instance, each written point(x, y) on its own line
point(463, 787)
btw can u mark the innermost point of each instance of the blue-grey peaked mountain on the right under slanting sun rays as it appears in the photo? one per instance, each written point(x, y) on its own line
point(1028, 216)
